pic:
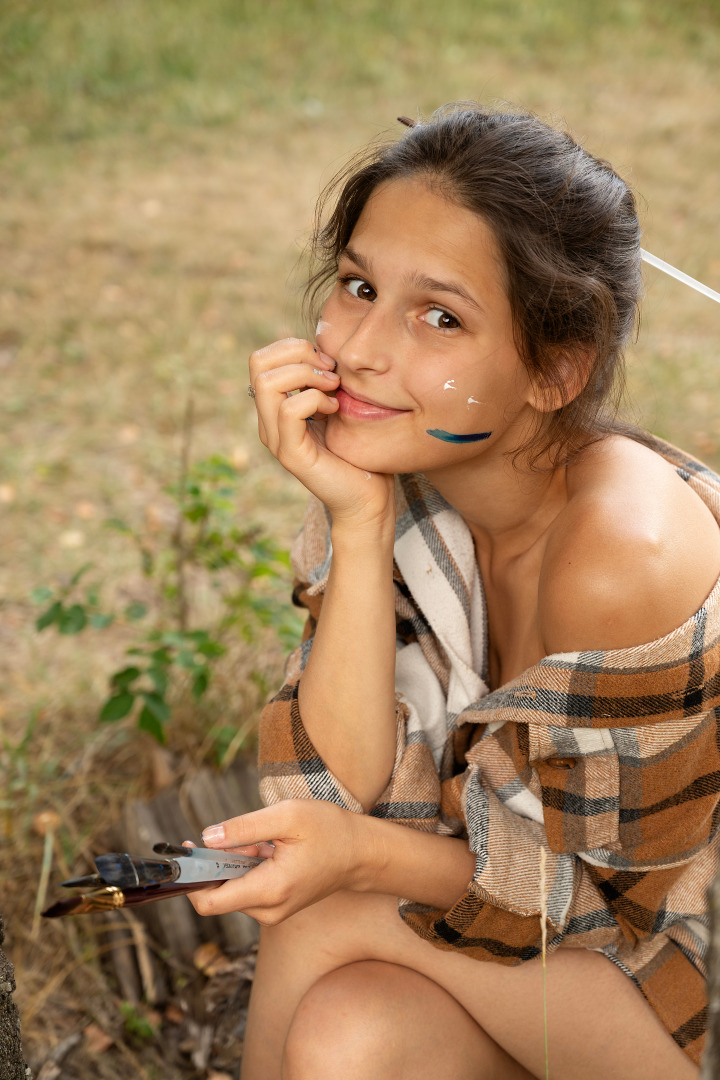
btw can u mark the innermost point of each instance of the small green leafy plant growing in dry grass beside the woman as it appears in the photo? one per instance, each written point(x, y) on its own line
point(203, 544)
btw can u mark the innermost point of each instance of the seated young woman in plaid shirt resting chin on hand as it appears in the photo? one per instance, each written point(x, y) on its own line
point(513, 643)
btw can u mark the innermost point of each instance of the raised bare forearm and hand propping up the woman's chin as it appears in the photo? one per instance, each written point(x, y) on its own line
point(347, 690)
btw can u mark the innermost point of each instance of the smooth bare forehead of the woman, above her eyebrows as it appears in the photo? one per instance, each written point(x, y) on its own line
point(412, 222)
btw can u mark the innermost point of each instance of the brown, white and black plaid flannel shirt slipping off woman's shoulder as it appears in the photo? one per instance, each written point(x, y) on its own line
point(610, 761)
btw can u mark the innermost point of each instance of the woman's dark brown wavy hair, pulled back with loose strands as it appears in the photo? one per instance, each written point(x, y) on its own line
point(567, 228)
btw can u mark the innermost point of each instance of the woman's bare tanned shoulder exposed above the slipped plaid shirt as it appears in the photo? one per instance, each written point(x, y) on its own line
point(634, 555)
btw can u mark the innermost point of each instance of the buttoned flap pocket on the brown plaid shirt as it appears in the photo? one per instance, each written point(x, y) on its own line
point(579, 775)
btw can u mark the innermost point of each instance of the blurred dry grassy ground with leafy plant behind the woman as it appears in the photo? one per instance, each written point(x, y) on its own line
point(159, 164)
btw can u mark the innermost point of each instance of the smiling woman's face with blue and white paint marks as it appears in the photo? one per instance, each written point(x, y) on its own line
point(420, 327)
